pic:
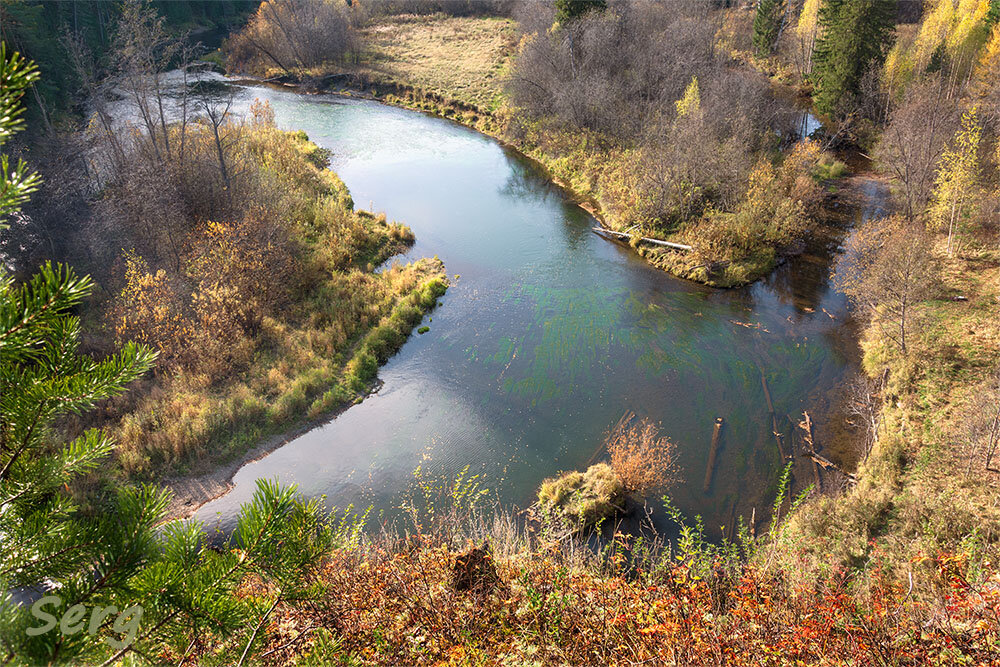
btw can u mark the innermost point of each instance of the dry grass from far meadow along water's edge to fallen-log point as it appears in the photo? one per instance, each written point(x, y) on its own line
point(454, 67)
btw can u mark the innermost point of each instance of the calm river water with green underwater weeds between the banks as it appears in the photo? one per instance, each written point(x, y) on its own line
point(548, 335)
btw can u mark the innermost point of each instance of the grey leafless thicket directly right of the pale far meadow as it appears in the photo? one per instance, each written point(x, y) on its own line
point(613, 71)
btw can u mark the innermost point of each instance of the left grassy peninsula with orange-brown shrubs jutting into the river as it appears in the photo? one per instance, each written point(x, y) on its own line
point(292, 313)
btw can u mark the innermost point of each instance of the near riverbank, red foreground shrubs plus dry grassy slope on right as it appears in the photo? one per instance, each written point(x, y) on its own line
point(898, 568)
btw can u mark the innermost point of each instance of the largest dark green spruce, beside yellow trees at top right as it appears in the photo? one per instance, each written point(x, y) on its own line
point(854, 35)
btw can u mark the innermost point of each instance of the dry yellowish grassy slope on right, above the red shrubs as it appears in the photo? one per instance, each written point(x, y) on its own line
point(925, 487)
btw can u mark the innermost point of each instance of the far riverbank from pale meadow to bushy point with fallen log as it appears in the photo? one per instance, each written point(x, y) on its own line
point(408, 64)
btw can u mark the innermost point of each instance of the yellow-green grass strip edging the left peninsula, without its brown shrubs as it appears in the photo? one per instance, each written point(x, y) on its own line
point(318, 352)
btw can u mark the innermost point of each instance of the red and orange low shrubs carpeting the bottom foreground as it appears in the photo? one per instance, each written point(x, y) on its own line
point(395, 602)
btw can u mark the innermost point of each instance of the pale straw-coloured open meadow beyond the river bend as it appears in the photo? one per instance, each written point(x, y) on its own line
point(459, 58)
